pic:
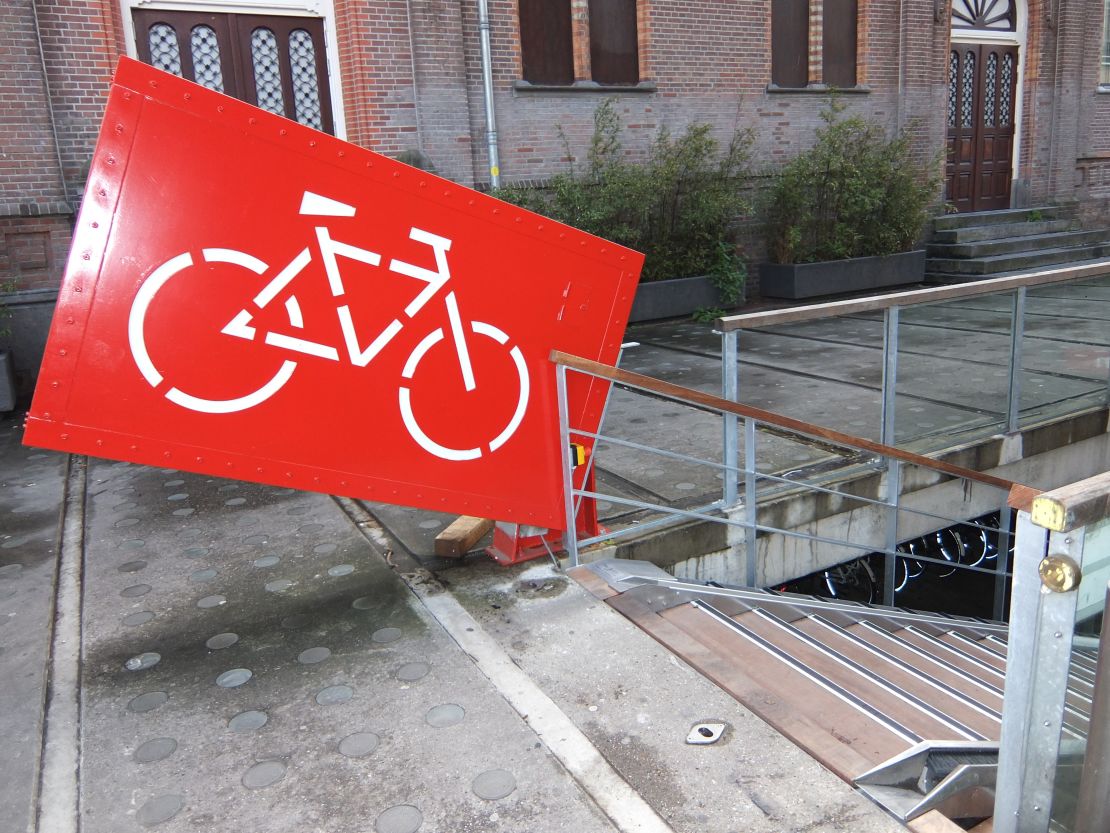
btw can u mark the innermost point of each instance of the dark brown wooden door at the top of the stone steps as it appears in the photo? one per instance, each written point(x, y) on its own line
point(982, 93)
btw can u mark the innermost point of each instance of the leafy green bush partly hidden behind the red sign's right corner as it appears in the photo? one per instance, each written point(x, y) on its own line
point(680, 208)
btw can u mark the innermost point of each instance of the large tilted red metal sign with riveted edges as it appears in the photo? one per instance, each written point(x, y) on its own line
point(250, 298)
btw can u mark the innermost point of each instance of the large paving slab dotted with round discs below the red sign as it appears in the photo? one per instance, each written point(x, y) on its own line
point(253, 664)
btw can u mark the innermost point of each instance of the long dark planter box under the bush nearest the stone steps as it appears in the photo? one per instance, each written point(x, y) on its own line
point(835, 277)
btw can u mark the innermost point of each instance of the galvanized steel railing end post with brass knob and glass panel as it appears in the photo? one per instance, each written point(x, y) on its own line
point(1046, 780)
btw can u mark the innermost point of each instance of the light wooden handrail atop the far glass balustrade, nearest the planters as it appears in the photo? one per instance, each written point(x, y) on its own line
point(813, 313)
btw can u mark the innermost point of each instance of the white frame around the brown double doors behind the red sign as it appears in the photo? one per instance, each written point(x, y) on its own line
point(324, 9)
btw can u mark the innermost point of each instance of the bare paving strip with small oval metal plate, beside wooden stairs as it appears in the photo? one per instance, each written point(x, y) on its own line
point(639, 705)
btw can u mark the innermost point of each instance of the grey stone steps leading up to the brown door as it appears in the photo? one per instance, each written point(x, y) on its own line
point(977, 246)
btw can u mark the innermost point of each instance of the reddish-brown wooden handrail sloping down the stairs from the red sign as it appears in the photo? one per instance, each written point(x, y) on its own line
point(770, 418)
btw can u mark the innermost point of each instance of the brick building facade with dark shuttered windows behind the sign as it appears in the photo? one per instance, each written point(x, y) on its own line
point(407, 77)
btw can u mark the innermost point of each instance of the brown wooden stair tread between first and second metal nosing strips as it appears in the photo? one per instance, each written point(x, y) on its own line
point(874, 693)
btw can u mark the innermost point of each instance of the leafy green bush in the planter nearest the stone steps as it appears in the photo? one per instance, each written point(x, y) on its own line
point(854, 194)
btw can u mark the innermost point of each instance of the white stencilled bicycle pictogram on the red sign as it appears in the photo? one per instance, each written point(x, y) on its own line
point(330, 252)
